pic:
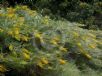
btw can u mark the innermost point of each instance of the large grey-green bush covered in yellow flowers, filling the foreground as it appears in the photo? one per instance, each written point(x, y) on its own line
point(33, 45)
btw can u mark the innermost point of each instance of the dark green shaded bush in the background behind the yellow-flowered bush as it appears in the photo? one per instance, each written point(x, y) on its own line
point(82, 11)
